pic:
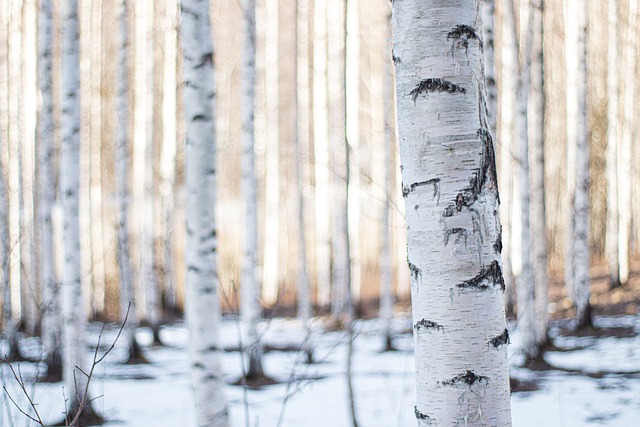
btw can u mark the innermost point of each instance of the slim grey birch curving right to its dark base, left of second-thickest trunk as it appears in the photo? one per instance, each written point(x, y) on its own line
point(127, 299)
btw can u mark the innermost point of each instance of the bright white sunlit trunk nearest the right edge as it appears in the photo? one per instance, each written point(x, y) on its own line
point(624, 153)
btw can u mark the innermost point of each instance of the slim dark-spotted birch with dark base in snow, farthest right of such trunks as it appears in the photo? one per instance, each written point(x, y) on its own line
point(580, 207)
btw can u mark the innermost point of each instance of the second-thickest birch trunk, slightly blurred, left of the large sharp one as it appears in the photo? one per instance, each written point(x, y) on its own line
point(201, 256)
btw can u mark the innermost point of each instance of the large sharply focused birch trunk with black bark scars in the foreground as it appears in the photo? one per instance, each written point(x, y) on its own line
point(452, 223)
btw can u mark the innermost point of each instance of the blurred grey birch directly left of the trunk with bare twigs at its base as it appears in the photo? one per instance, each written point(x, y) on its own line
point(50, 306)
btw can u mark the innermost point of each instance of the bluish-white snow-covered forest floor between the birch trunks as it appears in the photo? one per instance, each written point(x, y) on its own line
point(598, 383)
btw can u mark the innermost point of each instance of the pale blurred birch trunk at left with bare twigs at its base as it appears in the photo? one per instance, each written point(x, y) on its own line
point(72, 301)
